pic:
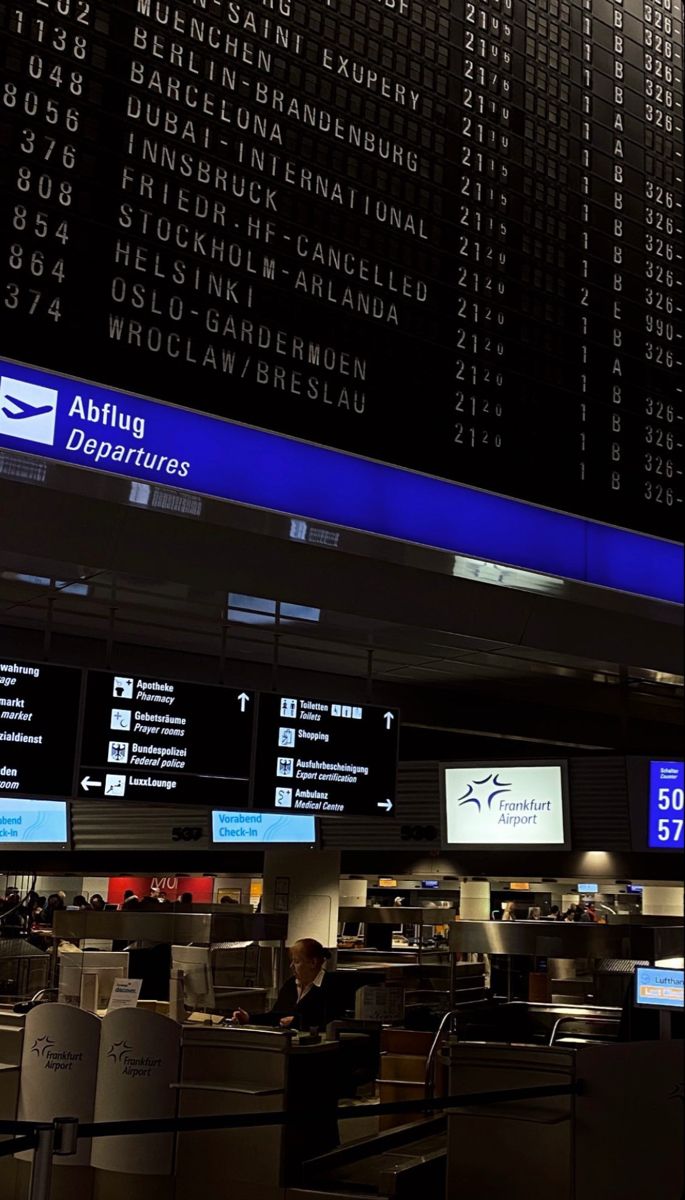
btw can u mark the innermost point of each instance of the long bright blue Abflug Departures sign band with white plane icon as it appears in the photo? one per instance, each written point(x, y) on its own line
point(86, 425)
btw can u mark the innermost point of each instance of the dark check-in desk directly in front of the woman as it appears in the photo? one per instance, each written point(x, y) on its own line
point(248, 1071)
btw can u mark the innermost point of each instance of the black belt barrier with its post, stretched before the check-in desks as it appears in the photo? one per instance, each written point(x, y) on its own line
point(61, 1137)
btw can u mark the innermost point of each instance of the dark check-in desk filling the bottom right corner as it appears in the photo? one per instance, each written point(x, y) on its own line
point(621, 1137)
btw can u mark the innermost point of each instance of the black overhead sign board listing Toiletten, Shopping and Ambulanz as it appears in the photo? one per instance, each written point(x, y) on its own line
point(326, 758)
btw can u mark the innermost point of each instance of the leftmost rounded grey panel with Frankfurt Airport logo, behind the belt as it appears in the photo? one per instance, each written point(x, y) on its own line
point(59, 1067)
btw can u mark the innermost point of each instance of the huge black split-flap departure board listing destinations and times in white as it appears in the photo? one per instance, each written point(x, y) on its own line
point(441, 235)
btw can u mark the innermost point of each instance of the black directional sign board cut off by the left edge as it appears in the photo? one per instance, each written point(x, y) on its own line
point(39, 719)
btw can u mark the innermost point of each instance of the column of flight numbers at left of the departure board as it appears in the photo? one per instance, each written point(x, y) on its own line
point(43, 95)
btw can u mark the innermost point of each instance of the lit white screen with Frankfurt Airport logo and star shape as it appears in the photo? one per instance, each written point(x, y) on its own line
point(506, 805)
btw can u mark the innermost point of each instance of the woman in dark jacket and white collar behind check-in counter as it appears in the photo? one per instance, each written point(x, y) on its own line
point(309, 999)
